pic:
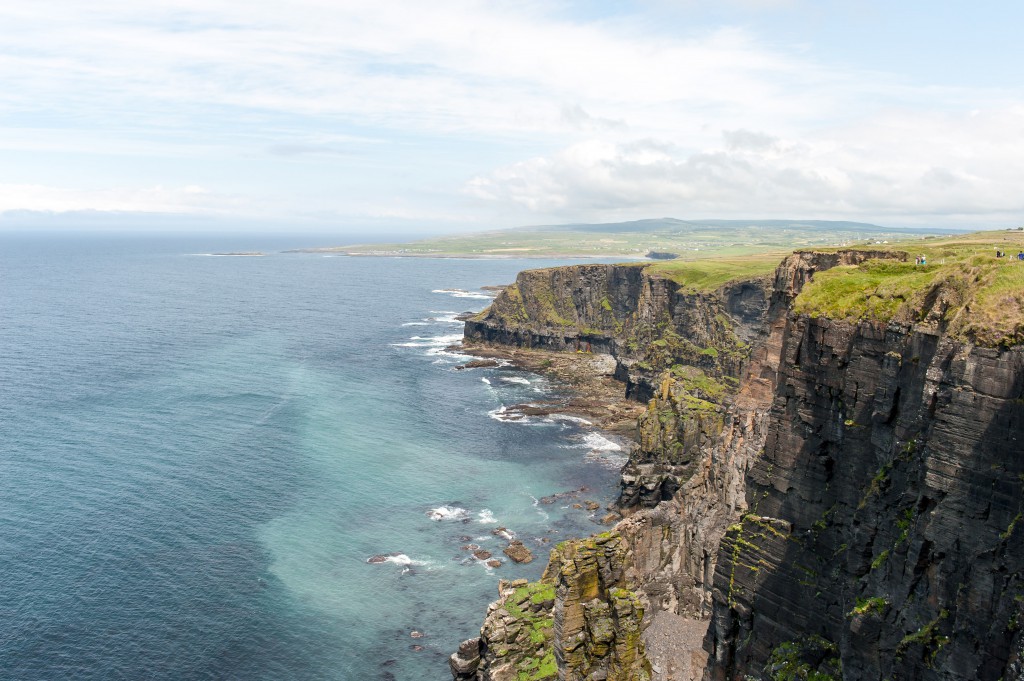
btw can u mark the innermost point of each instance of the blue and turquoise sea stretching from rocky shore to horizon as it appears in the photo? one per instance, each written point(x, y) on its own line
point(200, 454)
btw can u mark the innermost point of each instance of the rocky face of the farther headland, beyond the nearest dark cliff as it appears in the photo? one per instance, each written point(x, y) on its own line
point(648, 323)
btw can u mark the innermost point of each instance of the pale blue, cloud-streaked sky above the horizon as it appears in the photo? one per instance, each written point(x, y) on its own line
point(340, 116)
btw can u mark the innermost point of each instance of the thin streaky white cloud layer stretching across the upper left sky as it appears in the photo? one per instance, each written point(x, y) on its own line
point(460, 65)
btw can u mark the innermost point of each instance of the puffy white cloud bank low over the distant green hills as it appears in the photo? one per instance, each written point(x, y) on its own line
point(904, 167)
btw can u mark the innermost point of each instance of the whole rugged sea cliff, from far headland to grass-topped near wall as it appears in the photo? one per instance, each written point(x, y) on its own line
point(828, 473)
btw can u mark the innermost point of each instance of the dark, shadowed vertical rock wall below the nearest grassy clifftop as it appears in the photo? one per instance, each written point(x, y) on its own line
point(884, 512)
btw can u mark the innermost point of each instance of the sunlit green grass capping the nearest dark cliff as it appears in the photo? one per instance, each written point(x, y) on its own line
point(964, 287)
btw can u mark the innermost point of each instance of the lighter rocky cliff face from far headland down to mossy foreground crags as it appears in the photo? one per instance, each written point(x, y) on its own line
point(684, 352)
